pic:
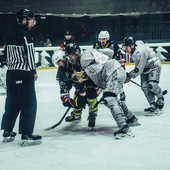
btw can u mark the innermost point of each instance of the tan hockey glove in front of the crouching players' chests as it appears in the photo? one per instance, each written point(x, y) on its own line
point(79, 77)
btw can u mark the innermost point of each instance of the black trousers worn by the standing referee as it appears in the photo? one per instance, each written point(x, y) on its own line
point(20, 100)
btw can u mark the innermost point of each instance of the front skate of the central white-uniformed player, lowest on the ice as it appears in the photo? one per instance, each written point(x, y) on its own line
point(123, 132)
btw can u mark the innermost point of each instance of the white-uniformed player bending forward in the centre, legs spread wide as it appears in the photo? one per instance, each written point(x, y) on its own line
point(107, 74)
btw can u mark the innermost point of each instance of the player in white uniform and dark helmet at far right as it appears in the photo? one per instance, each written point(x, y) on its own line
point(148, 66)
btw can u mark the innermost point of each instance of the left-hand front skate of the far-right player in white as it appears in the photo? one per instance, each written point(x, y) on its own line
point(152, 111)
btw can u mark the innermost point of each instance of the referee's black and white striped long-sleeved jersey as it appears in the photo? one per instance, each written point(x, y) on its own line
point(19, 51)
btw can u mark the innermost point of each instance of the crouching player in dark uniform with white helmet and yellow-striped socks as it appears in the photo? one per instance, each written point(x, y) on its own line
point(85, 92)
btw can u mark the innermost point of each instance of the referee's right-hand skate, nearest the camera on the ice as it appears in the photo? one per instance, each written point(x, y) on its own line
point(29, 140)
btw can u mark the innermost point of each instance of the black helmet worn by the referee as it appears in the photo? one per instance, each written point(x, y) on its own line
point(24, 13)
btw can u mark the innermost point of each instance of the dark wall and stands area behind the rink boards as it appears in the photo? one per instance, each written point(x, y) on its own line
point(151, 28)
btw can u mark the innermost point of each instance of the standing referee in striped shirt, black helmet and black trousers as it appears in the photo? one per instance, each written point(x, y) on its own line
point(21, 74)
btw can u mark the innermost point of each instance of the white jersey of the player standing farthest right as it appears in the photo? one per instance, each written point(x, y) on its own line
point(145, 60)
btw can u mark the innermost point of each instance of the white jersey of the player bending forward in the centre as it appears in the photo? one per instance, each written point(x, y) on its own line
point(99, 65)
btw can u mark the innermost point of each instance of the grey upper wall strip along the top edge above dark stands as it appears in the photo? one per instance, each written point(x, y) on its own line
point(81, 7)
